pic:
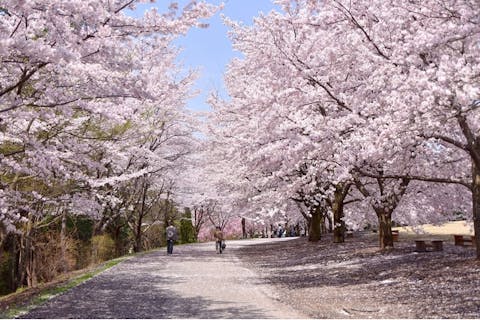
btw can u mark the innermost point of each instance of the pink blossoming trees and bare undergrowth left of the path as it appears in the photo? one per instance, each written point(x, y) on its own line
point(93, 125)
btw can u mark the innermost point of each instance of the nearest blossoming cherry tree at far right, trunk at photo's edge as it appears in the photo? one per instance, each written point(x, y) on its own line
point(426, 58)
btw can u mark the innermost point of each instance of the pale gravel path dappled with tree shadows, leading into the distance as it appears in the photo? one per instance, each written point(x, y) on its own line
point(194, 282)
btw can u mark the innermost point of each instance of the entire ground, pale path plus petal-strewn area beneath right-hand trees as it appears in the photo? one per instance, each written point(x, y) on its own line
point(282, 278)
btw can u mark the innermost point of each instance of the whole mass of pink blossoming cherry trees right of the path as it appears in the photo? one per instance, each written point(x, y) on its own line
point(355, 110)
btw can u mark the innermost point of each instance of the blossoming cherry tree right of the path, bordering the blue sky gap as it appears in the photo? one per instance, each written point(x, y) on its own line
point(284, 147)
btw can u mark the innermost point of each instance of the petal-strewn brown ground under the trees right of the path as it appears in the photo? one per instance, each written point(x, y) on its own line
point(357, 280)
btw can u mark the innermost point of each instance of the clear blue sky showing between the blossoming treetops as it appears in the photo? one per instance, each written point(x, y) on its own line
point(210, 50)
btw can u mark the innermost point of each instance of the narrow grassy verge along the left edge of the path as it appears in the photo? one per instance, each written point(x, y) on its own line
point(46, 294)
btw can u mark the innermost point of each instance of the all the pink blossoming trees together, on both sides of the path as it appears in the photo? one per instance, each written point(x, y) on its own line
point(347, 112)
